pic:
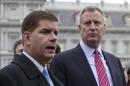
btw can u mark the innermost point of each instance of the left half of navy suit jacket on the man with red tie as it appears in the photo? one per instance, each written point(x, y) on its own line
point(72, 68)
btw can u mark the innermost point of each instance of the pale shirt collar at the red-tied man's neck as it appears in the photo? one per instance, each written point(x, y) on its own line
point(89, 51)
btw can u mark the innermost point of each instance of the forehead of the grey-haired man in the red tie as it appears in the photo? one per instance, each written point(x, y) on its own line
point(92, 15)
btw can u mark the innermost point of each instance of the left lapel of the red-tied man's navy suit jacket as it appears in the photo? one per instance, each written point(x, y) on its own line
point(81, 60)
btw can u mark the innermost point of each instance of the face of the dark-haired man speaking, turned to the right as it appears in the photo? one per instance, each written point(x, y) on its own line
point(42, 41)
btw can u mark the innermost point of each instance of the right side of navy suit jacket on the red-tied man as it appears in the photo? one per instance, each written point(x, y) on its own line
point(115, 68)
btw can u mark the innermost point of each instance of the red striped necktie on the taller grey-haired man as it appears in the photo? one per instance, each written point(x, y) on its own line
point(102, 75)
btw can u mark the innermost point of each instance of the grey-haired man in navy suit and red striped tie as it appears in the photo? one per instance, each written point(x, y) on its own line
point(79, 66)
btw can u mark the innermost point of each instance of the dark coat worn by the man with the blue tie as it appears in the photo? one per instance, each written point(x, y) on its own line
point(22, 72)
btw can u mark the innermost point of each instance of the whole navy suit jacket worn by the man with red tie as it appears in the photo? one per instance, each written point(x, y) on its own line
point(73, 69)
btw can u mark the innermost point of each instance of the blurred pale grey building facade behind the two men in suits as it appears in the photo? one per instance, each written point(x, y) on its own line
point(117, 18)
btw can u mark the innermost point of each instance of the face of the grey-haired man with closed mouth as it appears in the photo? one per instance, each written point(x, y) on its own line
point(92, 28)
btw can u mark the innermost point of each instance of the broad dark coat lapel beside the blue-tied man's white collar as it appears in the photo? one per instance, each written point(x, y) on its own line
point(30, 70)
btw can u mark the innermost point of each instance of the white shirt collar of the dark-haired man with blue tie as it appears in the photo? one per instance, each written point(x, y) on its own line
point(36, 63)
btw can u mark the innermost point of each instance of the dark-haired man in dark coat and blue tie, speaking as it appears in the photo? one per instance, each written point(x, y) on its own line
point(39, 33)
